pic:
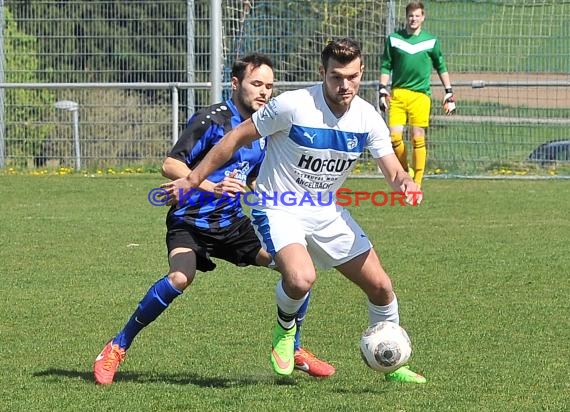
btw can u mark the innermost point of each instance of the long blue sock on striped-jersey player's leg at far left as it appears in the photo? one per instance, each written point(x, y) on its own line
point(156, 300)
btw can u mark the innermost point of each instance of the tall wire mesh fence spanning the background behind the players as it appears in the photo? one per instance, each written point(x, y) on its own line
point(138, 69)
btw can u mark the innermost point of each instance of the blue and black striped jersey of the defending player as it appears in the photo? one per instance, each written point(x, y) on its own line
point(205, 129)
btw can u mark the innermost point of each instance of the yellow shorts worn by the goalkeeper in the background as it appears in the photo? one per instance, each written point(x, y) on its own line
point(409, 107)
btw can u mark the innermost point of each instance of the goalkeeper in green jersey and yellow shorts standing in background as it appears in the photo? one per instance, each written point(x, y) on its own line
point(410, 55)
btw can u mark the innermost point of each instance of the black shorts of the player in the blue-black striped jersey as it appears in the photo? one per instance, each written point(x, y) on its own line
point(237, 243)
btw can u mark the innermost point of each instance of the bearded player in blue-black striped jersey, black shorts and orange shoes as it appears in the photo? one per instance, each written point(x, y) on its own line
point(209, 224)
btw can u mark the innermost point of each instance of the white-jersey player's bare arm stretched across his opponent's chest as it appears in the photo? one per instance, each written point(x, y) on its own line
point(242, 135)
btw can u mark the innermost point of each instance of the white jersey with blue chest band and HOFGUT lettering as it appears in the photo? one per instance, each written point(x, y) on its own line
point(311, 152)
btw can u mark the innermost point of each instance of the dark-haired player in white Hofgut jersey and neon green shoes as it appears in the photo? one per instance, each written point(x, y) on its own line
point(315, 137)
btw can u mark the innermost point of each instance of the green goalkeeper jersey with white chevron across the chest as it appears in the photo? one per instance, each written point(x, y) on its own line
point(411, 58)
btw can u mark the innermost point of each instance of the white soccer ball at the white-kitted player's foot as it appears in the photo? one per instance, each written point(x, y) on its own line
point(385, 346)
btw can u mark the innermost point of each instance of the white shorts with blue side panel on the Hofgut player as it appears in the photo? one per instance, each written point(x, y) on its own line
point(330, 238)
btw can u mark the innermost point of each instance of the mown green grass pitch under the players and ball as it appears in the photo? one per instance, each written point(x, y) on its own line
point(481, 271)
